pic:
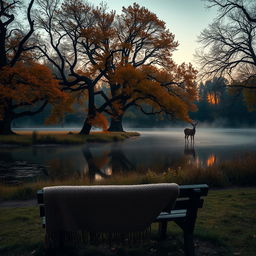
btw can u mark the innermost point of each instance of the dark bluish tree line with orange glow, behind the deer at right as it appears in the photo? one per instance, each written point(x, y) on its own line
point(221, 105)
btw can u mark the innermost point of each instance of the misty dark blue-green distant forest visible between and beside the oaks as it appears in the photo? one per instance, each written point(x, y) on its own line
point(218, 106)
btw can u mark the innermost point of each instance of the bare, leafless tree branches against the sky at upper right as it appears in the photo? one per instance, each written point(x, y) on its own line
point(228, 43)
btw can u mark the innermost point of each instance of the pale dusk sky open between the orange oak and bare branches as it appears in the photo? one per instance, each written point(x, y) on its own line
point(185, 18)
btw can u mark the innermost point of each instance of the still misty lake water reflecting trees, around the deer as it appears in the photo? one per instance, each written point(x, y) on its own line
point(154, 150)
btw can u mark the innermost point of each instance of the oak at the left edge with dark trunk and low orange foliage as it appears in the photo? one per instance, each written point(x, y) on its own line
point(25, 86)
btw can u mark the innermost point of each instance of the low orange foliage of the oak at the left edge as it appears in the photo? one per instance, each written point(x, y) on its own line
point(27, 83)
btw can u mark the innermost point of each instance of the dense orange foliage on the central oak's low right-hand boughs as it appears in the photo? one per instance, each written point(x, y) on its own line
point(147, 85)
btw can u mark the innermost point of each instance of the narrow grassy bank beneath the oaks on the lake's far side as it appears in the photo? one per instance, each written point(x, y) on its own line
point(39, 138)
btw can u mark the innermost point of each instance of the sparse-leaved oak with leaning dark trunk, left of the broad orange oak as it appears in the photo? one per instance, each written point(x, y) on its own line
point(62, 25)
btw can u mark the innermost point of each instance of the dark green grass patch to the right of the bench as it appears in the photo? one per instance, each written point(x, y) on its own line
point(229, 218)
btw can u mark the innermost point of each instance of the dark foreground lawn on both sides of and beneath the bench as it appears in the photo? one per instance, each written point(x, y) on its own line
point(225, 226)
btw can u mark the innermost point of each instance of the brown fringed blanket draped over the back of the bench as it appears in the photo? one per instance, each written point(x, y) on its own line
point(121, 208)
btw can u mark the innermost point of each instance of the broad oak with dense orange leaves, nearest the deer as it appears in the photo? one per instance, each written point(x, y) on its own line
point(140, 71)
